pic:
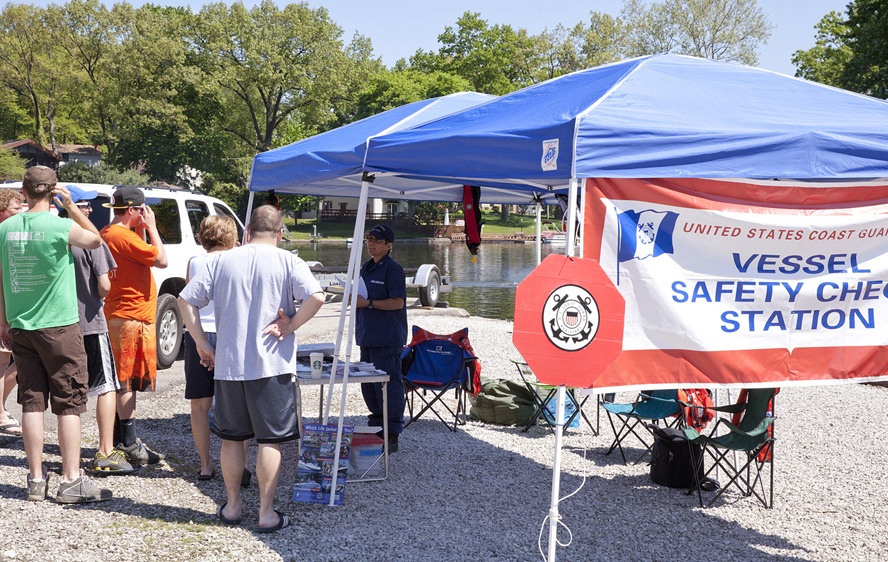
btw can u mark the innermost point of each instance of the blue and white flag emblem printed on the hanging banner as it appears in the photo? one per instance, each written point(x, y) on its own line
point(646, 234)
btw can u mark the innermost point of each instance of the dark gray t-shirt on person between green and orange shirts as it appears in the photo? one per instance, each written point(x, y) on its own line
point(89, 265)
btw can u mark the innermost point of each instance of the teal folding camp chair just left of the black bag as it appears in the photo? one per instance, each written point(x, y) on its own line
point(649, 407)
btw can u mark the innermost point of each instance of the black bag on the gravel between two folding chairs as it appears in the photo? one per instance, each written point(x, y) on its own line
point(671, 462)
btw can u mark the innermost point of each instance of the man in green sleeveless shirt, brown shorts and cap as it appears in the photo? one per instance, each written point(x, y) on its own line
point(39, 319)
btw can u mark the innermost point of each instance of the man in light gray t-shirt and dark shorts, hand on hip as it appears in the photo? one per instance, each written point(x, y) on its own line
point(255, 356)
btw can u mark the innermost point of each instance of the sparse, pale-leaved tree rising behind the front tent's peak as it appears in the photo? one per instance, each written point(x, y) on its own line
point(730, 30)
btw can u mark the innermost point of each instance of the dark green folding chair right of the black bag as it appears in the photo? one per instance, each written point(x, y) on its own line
point(752, 434)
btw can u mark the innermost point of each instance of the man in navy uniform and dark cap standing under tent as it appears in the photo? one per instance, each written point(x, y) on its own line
point(381, 328)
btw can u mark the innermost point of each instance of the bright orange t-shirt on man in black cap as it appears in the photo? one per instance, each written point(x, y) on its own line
point(133, 294)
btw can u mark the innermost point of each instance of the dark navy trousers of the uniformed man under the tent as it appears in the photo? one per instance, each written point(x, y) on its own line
point(387, 359)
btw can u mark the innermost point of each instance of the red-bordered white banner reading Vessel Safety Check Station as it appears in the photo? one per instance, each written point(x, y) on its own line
point(743, 284)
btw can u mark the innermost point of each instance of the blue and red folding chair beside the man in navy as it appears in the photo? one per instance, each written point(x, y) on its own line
point(432, 364)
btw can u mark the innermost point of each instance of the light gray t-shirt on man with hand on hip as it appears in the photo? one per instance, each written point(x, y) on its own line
point(248, 285)
